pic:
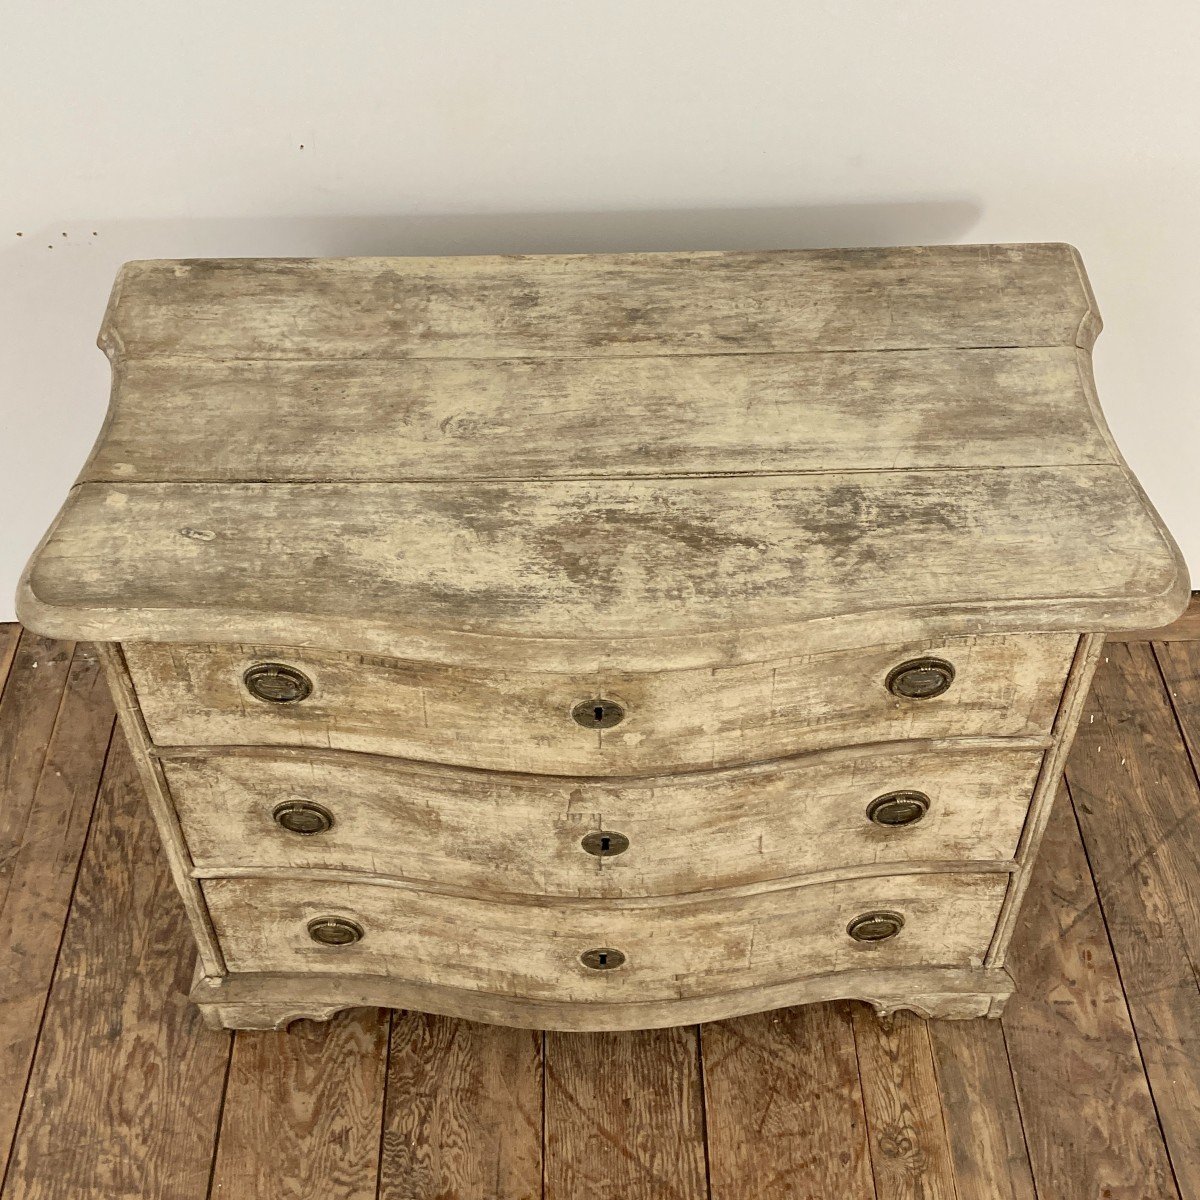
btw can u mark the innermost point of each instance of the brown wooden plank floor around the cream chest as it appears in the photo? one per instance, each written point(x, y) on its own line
point(1089, 1088)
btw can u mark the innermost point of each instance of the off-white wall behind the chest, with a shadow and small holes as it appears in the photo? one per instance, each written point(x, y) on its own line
point(135, 130)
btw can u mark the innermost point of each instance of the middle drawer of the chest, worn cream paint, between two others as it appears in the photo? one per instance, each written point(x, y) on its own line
point(551, 836)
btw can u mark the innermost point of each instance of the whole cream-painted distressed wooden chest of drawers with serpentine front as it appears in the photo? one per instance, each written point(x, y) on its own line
point(603, 641)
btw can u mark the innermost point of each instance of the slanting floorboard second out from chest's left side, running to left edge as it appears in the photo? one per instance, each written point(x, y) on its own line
point(41, 871)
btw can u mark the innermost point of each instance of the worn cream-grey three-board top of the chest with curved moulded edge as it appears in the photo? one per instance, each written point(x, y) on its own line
point(559, 463)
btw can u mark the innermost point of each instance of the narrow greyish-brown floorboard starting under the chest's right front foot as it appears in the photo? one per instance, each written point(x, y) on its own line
point(983, 1121)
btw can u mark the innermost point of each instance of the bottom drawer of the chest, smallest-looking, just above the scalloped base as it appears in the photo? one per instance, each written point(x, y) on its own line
point(638, 951)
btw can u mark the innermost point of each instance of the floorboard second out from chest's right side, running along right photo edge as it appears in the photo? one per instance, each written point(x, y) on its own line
point(1138, 805)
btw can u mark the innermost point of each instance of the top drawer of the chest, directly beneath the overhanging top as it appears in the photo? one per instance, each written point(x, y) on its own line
point(604, 723)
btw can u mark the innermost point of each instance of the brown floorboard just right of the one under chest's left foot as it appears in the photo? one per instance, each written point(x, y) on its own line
point(465, 1112)
